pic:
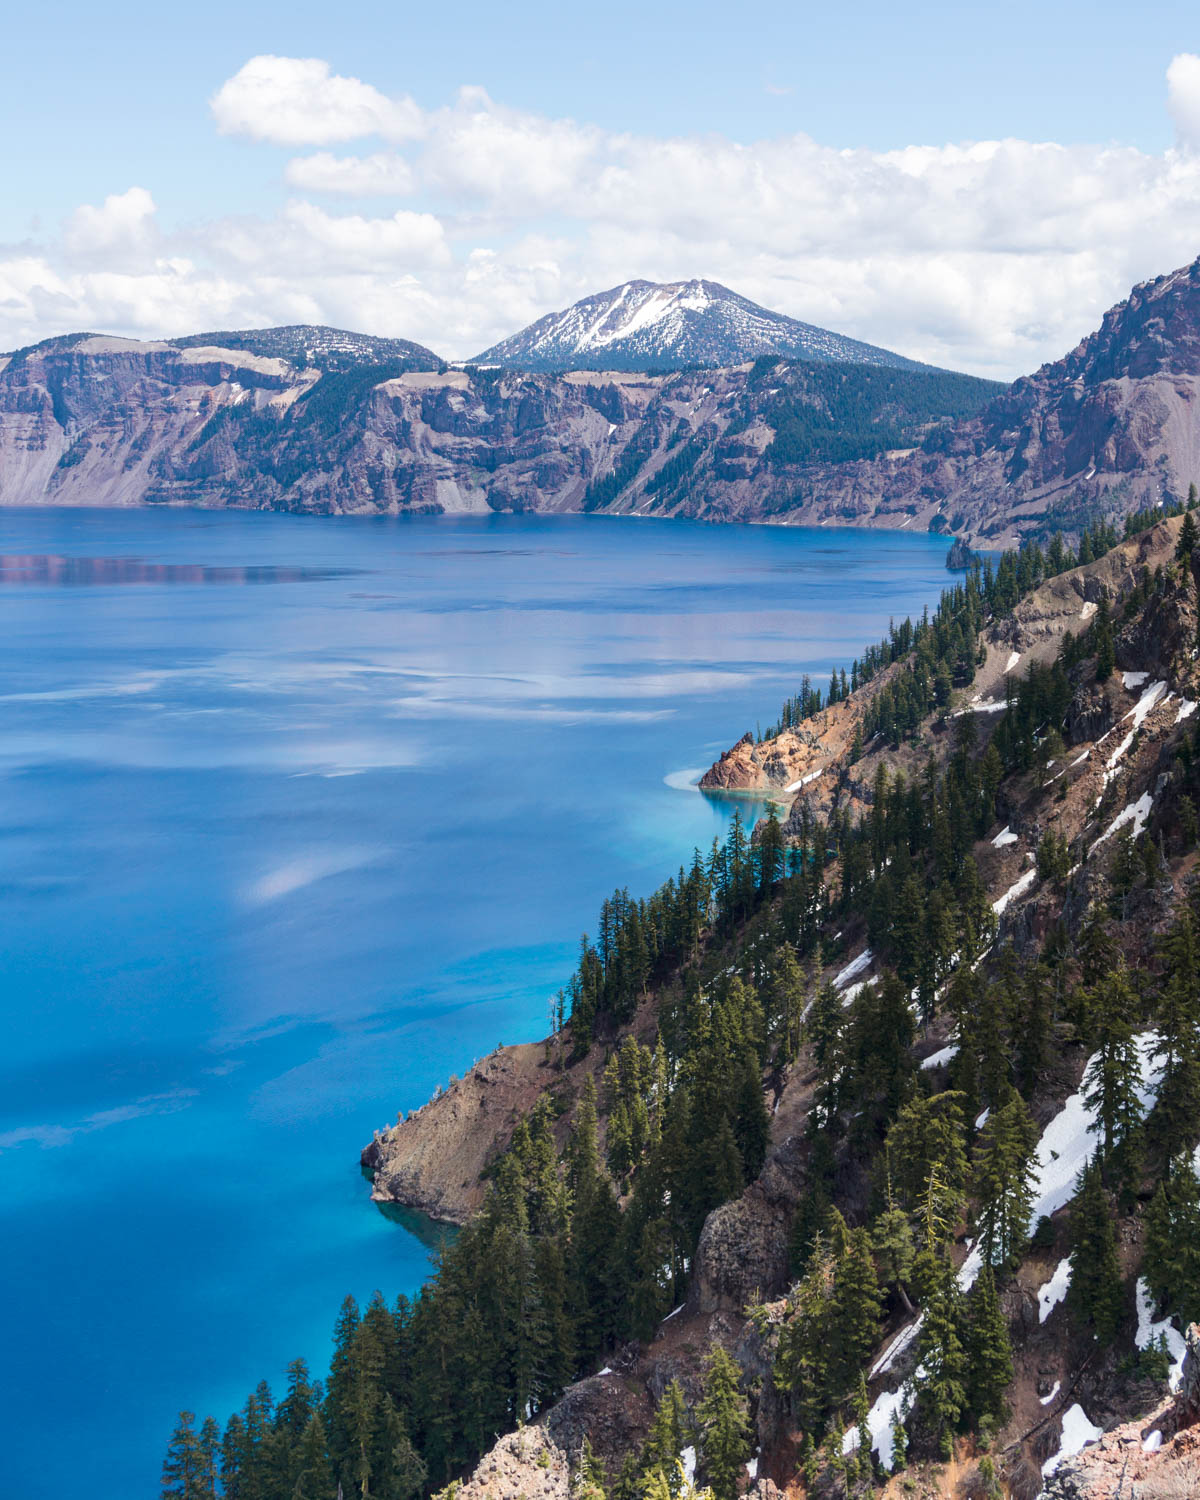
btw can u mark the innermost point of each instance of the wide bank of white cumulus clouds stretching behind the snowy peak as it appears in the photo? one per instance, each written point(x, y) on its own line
point(991, 257)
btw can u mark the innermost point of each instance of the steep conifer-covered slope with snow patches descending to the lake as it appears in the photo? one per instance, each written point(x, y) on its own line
point(863, 1150)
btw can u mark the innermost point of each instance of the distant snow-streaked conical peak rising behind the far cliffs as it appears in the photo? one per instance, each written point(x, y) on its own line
point(674, 326)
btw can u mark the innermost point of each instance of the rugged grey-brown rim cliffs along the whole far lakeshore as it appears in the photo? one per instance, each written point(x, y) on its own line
point(97, 421)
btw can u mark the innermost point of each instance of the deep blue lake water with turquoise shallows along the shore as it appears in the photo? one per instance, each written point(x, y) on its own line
point(298, 818)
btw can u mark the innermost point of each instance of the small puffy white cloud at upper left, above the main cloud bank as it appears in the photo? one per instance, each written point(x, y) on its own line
point(298, 101)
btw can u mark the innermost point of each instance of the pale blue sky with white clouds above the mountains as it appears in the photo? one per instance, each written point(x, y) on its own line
point(757, 146)
